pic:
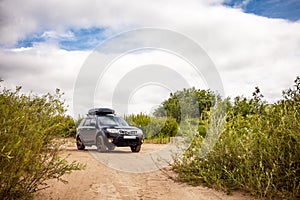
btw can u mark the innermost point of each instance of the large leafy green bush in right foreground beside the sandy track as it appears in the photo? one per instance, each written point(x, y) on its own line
point(258, 151)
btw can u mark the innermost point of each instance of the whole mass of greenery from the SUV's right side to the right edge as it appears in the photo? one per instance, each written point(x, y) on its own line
point(258, 149)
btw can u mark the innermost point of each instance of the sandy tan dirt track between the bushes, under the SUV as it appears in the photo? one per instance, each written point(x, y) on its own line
point(100, 181)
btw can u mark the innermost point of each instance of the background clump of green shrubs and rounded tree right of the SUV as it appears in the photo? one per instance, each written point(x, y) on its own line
point(182, 105)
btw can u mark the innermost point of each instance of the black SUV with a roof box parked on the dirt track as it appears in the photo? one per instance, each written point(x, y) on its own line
point(103, 129)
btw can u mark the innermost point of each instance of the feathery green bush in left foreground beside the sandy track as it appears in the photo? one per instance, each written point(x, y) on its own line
point(29, 148)
